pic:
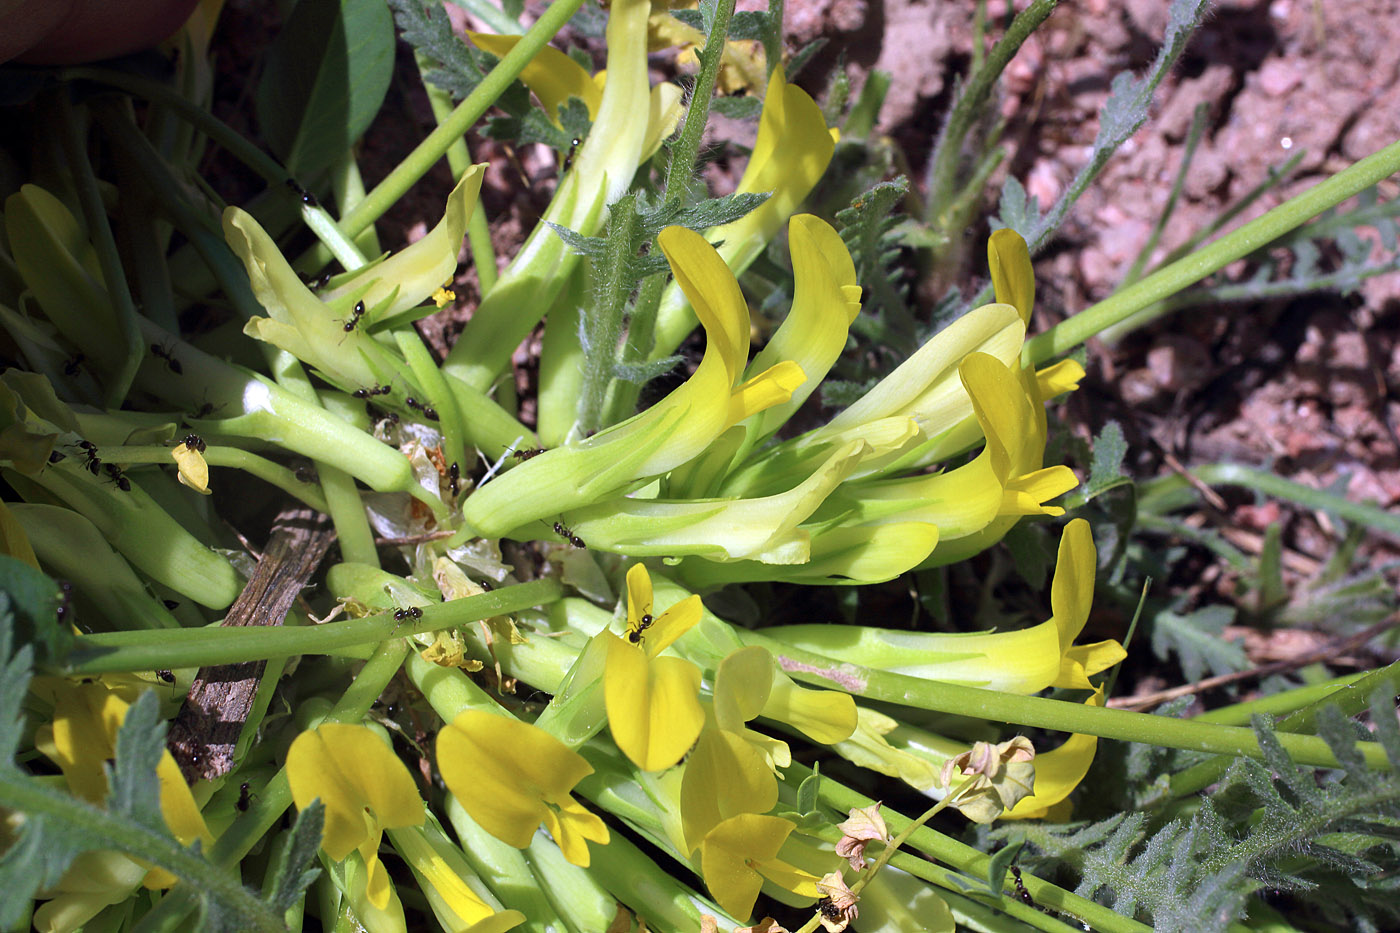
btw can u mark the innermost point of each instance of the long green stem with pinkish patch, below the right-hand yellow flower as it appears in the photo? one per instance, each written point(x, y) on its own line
point(1046, 714)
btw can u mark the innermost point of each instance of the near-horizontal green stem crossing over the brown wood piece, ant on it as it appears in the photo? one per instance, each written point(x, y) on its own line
point(202, 648)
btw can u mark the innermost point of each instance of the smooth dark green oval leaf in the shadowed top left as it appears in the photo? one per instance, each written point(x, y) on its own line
point(325, 79)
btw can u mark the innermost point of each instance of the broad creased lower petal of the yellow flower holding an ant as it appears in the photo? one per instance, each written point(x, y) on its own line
point(653, 705)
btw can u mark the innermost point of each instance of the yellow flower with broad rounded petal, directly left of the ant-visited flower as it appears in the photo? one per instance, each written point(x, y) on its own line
point(512, 777)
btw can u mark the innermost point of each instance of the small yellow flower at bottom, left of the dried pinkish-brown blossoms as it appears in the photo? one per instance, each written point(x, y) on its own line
point(738, 854)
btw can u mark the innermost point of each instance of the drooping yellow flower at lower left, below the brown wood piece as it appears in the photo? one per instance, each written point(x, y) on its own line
point(365, 788)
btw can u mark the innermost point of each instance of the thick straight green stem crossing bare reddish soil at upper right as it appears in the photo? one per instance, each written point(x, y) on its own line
point(1188, 271)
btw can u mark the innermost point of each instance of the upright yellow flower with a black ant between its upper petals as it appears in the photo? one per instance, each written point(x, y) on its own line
point(653, 703)
